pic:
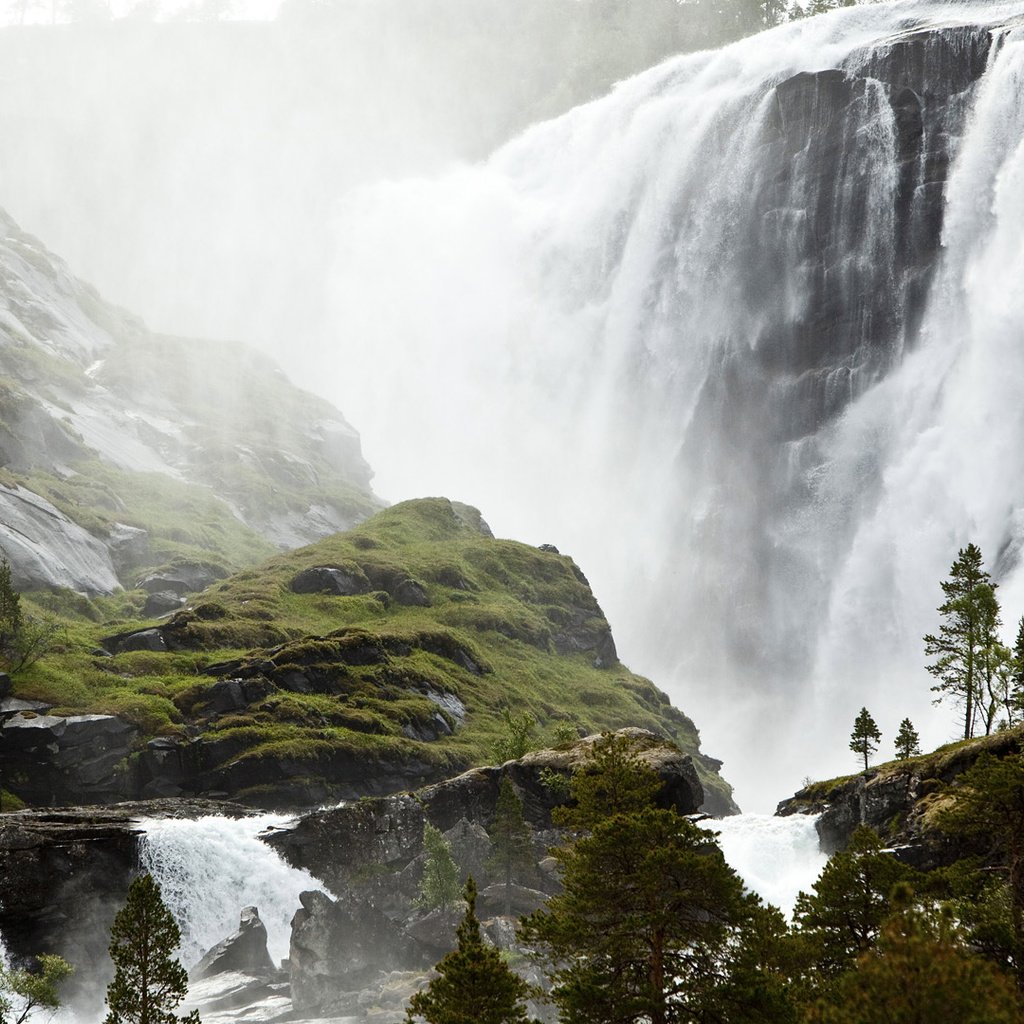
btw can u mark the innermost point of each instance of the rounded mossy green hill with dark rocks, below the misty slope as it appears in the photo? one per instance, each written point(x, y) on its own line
point(374, 660)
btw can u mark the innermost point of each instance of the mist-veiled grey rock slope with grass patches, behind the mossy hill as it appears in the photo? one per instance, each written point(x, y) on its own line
point(124, 451)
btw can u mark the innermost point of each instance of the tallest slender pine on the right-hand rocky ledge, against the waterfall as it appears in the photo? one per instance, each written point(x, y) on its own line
point(970, 618)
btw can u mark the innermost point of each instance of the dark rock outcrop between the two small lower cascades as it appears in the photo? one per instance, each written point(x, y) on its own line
point(346, 950)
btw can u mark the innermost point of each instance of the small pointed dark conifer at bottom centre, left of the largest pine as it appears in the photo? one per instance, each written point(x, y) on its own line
point(474, 985)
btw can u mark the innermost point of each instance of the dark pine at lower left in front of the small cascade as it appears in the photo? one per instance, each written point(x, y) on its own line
point(149, 982)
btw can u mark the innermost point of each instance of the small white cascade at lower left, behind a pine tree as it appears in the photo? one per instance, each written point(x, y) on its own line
point(209, 869)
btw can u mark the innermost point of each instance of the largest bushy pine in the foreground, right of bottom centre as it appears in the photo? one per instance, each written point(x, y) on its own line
point(650, 912)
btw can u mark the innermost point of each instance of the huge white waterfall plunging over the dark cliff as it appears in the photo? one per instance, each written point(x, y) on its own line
point(743, 337)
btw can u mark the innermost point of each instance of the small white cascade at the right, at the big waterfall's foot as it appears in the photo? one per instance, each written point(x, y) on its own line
point(777, 858)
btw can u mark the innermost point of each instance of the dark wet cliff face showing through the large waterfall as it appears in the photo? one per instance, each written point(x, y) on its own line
point(831, 260)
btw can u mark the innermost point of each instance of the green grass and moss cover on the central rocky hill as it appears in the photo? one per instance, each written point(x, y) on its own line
point(502, 604)
